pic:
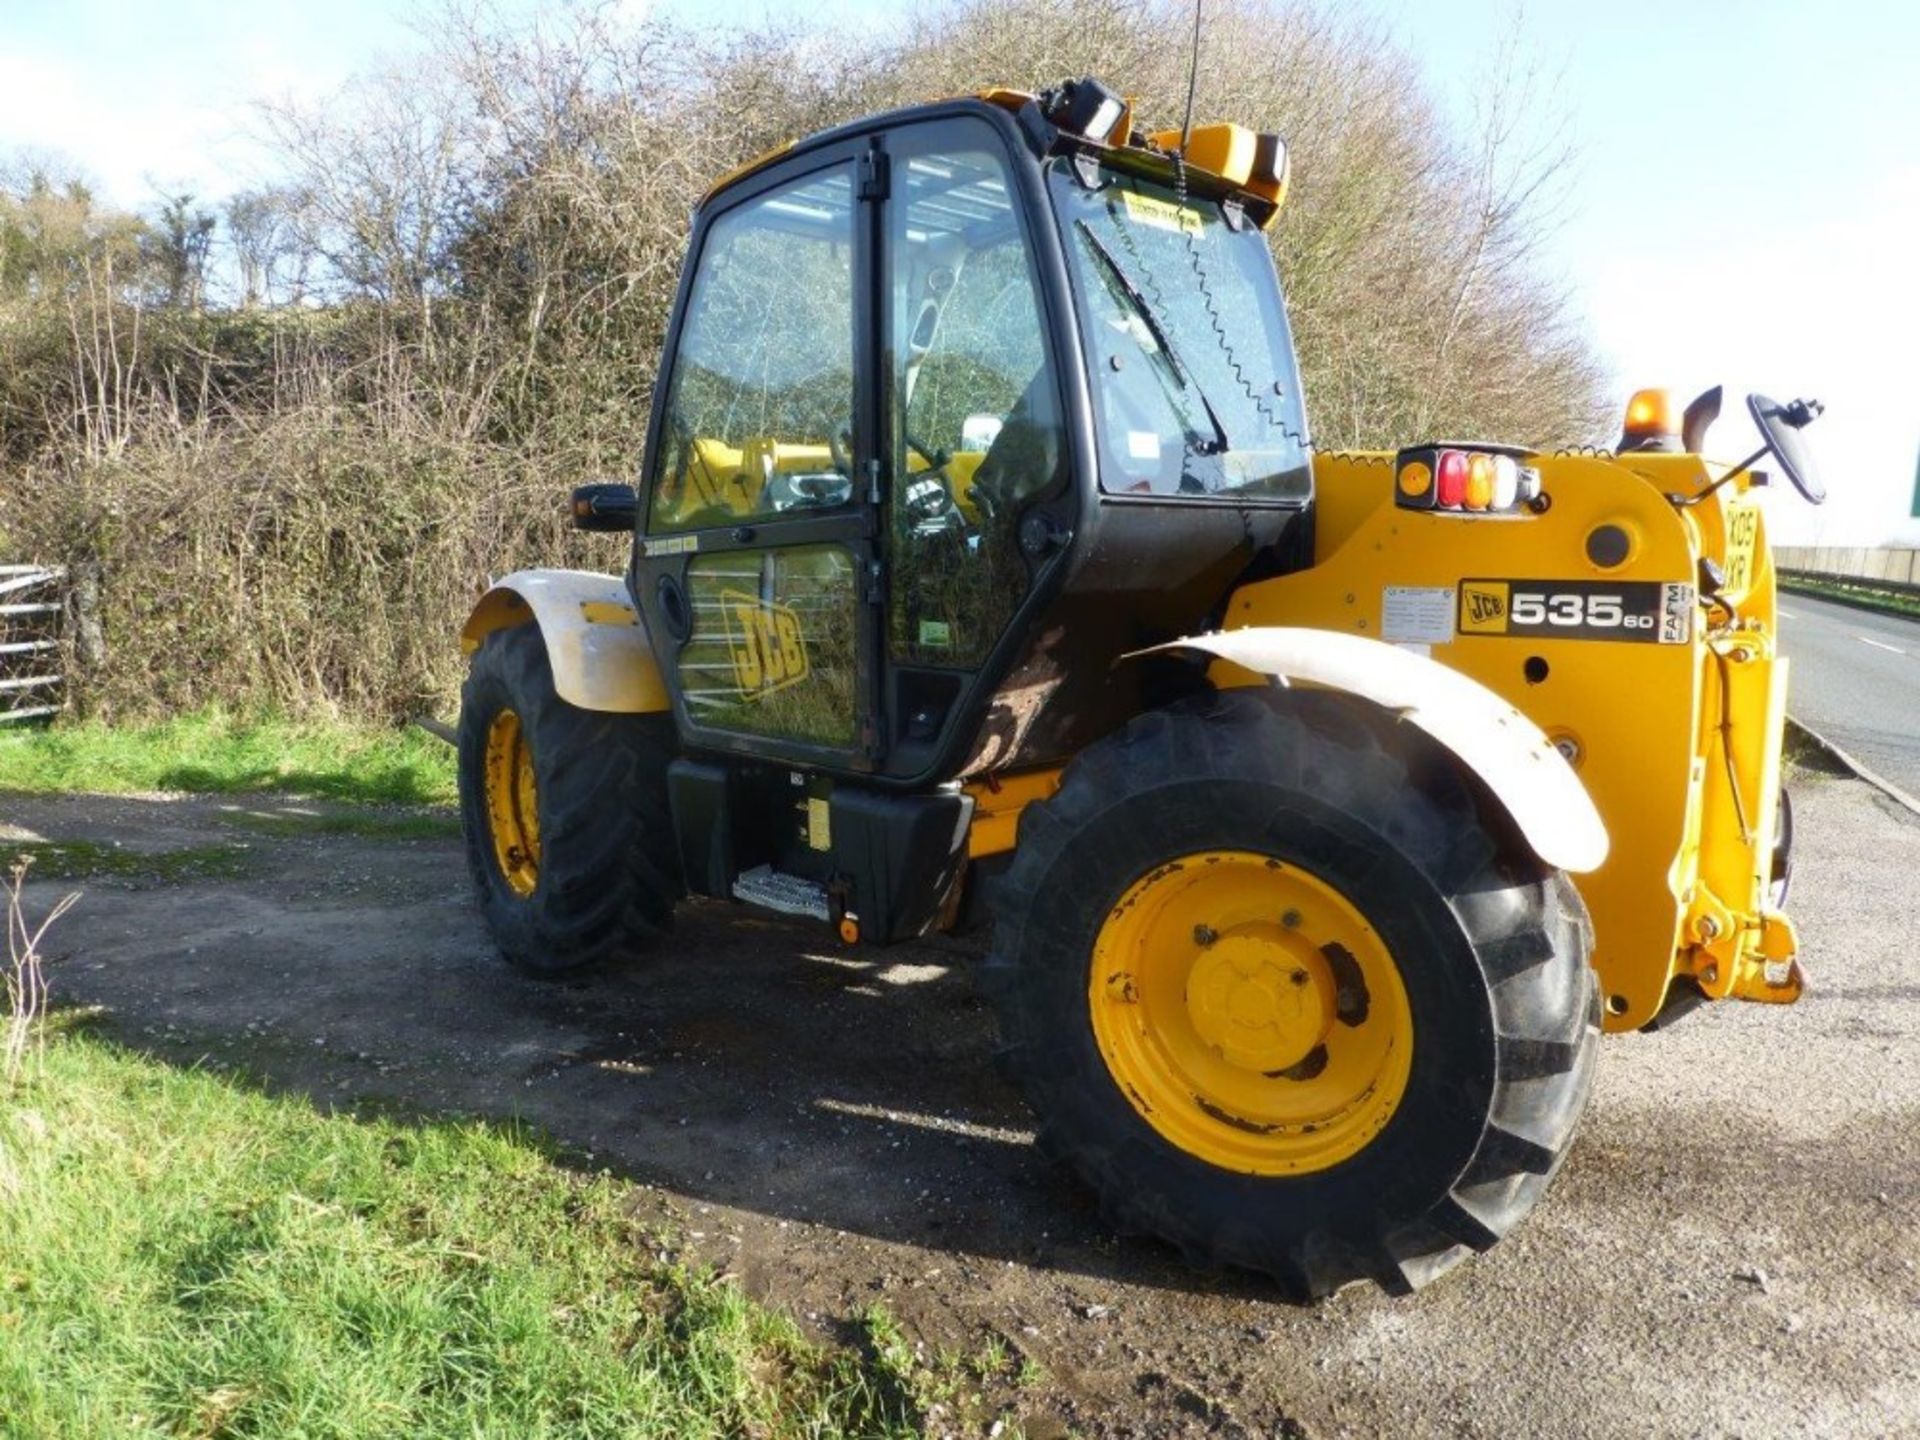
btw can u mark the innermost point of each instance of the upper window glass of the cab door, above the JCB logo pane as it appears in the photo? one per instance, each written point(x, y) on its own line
point(759, 412)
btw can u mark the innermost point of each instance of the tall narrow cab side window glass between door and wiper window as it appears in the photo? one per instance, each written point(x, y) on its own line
point(976, 418)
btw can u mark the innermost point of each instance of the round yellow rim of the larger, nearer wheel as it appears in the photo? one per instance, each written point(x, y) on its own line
point(1251, 1015)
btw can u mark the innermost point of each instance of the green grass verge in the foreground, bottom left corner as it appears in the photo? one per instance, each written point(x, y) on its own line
point(183, 1257)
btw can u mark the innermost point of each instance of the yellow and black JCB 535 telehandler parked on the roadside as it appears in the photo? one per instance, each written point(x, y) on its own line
point(984, 567)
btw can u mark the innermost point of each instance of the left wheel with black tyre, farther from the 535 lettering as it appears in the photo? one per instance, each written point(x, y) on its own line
point(565, 815)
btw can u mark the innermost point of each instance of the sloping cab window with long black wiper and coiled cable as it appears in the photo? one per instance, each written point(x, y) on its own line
point(1193, 368)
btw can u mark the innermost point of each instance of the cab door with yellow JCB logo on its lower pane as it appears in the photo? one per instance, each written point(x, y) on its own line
point(757, 554)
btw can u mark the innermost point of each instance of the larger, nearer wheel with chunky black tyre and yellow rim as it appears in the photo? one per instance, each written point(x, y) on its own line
point(1291, 994)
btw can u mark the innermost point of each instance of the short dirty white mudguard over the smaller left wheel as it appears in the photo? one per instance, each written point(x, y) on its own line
point(596, 640)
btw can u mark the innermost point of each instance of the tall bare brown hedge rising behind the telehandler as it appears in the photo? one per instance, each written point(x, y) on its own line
point(293, 506)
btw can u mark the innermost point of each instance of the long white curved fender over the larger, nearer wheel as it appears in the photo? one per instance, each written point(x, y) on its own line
point(1491, 738)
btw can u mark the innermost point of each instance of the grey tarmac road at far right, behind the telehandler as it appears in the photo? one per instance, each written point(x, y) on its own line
point(1856, 681)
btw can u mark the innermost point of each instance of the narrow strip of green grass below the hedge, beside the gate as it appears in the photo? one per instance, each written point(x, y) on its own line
point(220, 754)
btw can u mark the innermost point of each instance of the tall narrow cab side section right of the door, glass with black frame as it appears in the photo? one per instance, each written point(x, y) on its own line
point(972, 425)
